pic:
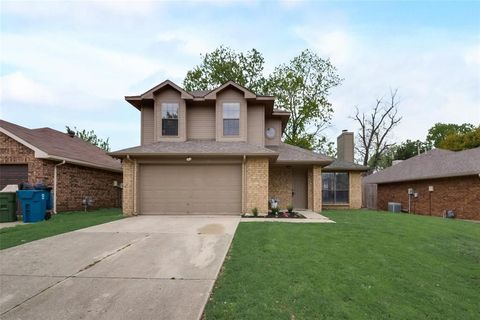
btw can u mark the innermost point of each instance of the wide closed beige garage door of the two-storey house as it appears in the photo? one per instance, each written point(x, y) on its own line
point(168, 189)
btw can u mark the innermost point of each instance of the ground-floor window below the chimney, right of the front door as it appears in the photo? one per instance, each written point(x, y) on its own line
point(335, 187)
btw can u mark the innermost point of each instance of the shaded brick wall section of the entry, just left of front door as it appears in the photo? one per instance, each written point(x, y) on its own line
point(280, 185)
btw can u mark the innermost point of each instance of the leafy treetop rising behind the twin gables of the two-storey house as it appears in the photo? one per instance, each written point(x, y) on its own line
point(224, 64)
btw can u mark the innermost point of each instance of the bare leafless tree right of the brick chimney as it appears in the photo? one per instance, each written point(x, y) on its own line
point(375, 129)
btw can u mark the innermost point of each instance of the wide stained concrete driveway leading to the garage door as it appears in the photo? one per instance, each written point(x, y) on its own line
point(146, 267)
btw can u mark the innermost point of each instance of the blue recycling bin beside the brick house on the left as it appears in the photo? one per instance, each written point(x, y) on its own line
point(33, 204)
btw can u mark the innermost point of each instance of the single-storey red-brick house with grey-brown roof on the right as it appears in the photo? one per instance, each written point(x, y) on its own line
point(439, 180)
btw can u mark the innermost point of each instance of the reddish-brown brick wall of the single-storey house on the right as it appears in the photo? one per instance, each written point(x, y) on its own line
point(460, 194)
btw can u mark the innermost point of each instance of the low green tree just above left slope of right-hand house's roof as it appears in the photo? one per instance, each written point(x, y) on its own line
point(403, 151)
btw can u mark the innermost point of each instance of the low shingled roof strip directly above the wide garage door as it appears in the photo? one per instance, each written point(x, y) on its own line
point(196, 147)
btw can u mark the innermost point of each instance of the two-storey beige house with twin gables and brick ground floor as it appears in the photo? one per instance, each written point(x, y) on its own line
point(220, 151)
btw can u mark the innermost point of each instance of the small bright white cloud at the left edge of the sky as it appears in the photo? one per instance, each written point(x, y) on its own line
point(16, 87)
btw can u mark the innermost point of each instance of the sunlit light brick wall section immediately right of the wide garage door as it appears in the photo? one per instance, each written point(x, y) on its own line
point(256, 188)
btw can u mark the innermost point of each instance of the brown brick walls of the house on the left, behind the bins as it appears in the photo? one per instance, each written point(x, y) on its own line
point(74, 182)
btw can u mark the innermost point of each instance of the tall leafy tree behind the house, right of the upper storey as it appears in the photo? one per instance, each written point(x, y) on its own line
point(302, 87)
